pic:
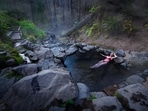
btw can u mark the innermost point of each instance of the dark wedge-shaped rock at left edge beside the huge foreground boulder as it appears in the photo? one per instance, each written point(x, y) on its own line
point(5, 84)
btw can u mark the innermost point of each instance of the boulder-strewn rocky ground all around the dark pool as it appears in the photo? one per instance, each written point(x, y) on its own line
point(46, 84)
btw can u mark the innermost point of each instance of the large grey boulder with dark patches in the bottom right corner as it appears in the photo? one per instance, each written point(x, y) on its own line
point(134, 97)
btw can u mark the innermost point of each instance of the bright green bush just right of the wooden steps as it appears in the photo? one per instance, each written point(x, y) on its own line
point(30, 31)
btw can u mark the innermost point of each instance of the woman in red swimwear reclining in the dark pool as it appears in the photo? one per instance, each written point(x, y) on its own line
point(105, 61)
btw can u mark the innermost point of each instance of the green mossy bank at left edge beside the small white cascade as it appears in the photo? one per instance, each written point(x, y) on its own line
point(11, 53)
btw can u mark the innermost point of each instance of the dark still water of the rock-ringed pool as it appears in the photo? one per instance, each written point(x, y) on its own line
point(96, 79)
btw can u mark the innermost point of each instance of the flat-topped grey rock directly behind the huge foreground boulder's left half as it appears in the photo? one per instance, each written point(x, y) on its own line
point(26, 69)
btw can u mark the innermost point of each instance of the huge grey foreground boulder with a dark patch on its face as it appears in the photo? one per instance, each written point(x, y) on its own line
point(36, 92)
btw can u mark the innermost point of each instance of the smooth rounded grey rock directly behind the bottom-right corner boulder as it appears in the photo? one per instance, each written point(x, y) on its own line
point(134, 79)
